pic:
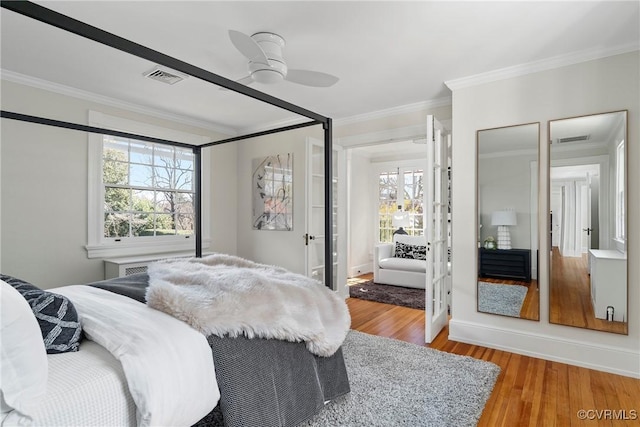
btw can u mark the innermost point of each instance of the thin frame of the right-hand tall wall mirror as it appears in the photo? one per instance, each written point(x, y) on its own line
point(548, 225)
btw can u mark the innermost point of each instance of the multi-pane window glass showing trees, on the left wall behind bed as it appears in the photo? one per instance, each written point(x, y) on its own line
point(148, 189)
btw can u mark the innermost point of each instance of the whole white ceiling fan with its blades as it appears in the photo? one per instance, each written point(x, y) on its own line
point(266, 64)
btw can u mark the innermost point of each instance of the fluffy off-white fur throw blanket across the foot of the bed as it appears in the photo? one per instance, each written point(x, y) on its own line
point(227, 295)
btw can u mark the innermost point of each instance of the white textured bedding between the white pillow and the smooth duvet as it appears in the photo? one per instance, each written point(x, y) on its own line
point(84, 388)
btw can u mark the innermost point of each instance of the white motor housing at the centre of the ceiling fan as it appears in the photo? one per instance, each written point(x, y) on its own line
point(276, 69)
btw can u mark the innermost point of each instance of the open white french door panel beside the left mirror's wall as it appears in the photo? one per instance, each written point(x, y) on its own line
point(436, 203)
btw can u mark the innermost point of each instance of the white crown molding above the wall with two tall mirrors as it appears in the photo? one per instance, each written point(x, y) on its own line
point(538, 66)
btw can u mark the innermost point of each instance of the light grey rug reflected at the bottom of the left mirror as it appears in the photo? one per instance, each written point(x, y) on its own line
point(502, 299)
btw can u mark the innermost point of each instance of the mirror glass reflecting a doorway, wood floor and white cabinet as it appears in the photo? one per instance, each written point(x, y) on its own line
point(588, 277)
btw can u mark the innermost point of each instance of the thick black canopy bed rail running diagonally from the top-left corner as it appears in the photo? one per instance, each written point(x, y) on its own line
point(80, 28)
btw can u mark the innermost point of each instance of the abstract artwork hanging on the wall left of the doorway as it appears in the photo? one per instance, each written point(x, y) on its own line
point(272, 192)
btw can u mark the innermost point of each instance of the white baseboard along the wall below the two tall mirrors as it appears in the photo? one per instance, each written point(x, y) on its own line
point(620, 361)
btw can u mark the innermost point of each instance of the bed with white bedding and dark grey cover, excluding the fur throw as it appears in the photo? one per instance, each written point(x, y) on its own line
point(139, 366)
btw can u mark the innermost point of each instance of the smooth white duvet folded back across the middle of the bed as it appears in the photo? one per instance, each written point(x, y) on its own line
point(168, 365)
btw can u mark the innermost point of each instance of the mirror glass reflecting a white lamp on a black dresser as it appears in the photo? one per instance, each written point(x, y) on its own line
point(508, 221)
